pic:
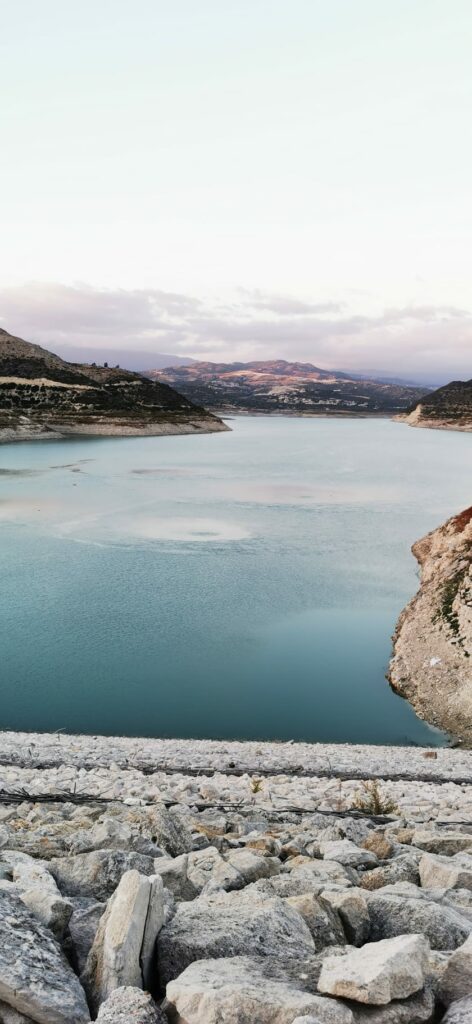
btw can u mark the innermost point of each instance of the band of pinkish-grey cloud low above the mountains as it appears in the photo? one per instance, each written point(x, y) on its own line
point(423, 343)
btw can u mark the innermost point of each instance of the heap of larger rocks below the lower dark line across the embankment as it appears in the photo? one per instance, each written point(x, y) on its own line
point(156, 915)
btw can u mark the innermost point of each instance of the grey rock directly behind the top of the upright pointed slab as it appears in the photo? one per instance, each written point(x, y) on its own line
point(98, 874)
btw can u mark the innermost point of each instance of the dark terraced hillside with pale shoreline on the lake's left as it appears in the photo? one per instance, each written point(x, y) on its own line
point(44, 396)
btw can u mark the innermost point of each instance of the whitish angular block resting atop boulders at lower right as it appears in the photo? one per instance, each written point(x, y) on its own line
point(380, 972)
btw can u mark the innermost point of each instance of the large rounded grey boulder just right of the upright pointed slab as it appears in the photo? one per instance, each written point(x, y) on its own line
point(231, 925)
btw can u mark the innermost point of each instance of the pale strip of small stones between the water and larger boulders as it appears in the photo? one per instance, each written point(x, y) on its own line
point(424, 784)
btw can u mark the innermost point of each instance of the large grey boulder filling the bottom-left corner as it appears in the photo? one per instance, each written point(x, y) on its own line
point(35, 978)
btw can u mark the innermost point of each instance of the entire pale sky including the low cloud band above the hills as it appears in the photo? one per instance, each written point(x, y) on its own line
point(237, 180)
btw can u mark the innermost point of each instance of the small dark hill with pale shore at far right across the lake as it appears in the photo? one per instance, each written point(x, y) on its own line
point(449, 408)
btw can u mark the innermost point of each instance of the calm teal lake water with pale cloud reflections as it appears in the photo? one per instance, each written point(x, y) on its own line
point(240, 585)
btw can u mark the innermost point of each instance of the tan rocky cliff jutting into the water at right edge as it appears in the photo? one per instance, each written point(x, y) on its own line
point(433, 664)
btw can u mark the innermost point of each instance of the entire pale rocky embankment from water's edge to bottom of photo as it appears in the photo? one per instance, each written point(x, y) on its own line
point(162, 882)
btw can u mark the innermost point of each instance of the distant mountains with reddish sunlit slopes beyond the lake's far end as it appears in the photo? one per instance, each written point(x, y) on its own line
point(280, 387)
